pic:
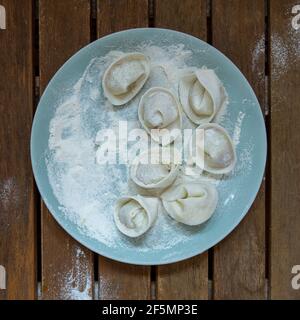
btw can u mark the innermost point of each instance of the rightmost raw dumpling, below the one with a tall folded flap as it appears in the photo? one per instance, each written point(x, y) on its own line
point(219, 154)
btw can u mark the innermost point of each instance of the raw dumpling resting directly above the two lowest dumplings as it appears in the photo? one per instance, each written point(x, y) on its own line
point(148, 172)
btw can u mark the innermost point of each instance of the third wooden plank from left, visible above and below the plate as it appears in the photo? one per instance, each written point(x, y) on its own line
point(119, 280)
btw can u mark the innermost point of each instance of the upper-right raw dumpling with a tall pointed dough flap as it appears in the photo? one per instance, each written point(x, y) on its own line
point(201, 95)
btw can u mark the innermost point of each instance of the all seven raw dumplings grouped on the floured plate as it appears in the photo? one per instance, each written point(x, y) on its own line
point(201, 96)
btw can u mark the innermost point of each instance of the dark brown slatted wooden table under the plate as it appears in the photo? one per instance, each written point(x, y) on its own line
point(256, 261)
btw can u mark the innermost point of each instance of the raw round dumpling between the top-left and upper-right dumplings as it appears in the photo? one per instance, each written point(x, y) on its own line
point(159, 114)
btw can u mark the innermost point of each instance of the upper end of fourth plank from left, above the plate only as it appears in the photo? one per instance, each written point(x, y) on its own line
point(186, 16)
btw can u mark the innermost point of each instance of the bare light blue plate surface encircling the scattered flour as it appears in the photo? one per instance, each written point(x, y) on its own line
point(237, 193)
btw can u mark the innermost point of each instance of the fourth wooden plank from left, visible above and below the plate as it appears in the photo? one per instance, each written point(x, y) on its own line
point(187, 279)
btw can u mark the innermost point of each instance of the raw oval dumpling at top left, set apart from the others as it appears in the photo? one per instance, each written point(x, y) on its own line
point(125, 77)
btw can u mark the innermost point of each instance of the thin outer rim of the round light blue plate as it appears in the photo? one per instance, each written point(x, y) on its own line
point(193, 251)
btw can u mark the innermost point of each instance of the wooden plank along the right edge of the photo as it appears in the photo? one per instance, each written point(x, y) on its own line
point(285, 154)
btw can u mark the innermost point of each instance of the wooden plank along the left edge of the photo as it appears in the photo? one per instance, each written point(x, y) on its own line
point(17, 214)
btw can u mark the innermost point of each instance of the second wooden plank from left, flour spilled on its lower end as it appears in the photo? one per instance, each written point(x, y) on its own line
point(67, 267)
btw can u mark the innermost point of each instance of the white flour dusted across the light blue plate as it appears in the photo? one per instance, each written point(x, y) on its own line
point(87, 191)
